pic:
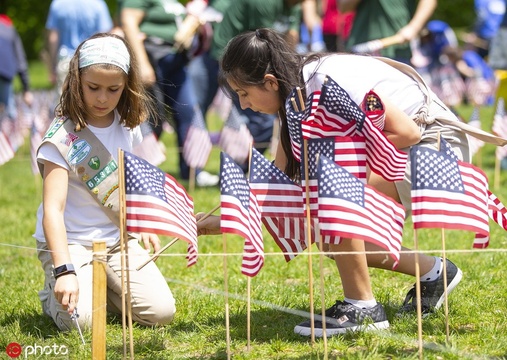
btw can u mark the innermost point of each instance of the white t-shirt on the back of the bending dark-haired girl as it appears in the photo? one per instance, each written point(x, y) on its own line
point(359, 74)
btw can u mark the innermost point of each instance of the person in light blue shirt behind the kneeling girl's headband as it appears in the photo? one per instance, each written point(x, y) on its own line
point(69, 23)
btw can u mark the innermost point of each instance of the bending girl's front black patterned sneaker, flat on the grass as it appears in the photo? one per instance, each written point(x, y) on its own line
point(343, 317)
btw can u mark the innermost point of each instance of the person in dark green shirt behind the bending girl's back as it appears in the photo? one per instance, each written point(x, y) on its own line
point(378, 19)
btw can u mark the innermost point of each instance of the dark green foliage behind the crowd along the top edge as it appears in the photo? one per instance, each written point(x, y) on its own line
point(29, 16)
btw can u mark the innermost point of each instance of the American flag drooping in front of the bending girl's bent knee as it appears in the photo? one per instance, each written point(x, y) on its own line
point(351, 209)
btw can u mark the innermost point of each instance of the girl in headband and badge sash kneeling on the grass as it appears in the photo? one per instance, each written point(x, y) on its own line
point(103, 103)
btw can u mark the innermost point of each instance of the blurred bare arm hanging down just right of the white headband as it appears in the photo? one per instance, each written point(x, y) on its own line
point(131, 19)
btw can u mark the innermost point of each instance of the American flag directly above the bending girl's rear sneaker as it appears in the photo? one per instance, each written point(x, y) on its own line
point(446, 192)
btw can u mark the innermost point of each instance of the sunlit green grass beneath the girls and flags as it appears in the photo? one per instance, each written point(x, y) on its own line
point(477, 308)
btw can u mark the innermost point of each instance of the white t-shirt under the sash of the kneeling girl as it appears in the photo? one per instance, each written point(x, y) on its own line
point(84, 219)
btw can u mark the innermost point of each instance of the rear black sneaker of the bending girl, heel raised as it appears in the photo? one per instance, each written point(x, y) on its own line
point(432, 292)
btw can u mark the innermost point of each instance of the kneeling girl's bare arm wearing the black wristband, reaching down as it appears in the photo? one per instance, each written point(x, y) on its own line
point(55, 179)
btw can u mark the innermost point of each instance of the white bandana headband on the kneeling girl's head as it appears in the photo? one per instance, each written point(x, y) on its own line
point(104, 50)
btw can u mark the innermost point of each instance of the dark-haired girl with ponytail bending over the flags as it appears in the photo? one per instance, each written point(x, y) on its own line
point(278, 69)
